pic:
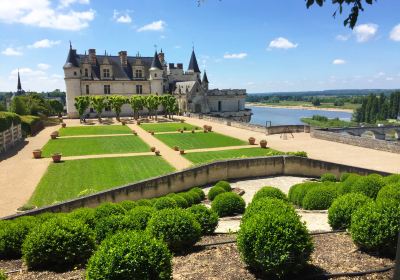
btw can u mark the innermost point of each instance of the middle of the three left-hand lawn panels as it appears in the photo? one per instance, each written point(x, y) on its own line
point(78, 146)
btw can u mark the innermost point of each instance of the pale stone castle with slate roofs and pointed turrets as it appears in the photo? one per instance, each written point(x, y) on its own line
point(92, 74)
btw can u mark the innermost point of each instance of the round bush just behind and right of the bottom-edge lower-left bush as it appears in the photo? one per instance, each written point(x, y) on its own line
point(177, 227)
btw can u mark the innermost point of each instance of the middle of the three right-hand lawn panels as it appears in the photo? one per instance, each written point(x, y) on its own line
point(198, 140)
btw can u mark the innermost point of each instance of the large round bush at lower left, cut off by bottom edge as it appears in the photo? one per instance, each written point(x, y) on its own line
point(130, 255)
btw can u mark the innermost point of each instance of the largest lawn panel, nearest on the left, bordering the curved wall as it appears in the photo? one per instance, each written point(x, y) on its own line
point(67, 179)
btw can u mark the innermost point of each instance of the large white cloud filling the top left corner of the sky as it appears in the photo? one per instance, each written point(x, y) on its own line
point(40, 13)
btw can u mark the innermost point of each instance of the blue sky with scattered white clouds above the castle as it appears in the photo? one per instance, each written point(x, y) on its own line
point(263, 46)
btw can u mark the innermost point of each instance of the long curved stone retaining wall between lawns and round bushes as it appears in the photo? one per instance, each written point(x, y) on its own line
point(204, 175)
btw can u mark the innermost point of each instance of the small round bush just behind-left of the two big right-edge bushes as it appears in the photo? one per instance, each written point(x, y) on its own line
point(320, 198)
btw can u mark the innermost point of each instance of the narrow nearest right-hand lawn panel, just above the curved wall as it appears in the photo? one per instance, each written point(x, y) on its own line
point(204, 157)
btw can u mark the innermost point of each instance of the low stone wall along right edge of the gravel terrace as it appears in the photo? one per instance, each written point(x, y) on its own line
point(370, 143)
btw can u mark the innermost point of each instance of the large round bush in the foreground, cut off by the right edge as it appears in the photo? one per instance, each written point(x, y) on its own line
point(376, 225)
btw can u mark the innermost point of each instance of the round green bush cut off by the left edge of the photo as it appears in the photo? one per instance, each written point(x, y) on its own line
point(12, 235)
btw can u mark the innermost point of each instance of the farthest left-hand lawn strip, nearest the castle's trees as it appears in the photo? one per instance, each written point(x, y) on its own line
point(94, 130)
